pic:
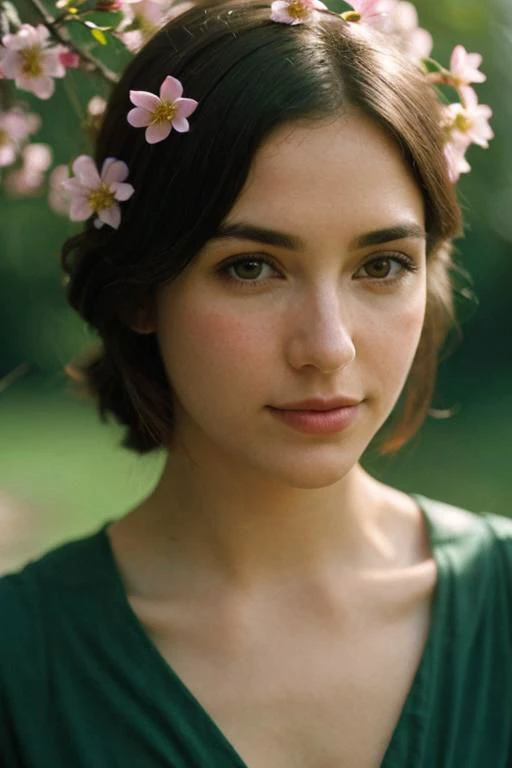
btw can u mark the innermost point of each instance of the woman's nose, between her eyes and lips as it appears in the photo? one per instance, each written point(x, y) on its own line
point(321, 335)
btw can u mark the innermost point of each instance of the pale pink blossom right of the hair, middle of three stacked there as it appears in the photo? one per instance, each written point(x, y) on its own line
point(469, 122)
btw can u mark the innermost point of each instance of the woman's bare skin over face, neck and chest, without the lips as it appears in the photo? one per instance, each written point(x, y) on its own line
point(288, 589)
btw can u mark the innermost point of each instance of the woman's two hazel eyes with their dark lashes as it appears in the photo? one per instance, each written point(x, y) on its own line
point(252, 270)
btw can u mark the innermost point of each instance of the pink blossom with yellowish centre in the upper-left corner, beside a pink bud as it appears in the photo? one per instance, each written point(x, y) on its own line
point(30, 62)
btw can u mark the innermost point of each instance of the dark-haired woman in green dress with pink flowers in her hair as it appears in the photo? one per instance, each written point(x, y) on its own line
point(267, 263)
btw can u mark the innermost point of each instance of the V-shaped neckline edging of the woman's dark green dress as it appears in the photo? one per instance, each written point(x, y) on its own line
point(416, 695)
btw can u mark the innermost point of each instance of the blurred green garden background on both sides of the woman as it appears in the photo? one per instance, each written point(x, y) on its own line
point(62, 472)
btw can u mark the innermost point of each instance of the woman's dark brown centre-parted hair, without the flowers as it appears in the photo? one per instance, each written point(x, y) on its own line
point(250, 76)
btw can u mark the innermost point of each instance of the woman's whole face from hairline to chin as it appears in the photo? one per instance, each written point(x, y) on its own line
point(314, 288)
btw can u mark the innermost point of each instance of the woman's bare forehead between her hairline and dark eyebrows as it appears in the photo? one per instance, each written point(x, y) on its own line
point(342, 170)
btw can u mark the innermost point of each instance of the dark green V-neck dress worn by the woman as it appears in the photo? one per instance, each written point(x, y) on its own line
point(83, 686)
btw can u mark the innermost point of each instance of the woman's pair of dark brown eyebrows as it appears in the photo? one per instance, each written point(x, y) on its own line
point(245, 231)
